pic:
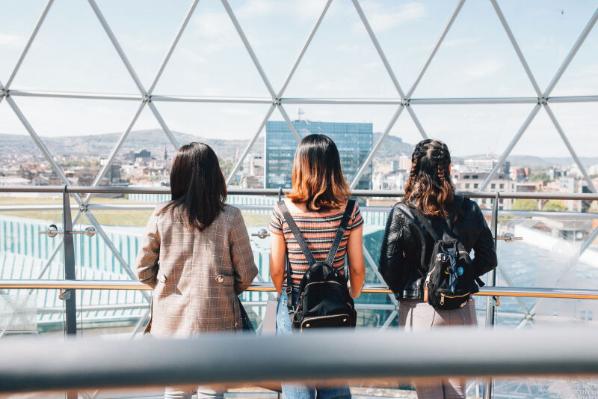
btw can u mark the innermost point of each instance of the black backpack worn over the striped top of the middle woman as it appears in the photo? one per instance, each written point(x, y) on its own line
point(324, 299)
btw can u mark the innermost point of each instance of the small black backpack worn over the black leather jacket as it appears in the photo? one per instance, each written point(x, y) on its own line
point(450, 278)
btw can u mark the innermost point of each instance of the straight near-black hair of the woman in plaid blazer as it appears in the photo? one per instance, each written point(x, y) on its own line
point(197, 185)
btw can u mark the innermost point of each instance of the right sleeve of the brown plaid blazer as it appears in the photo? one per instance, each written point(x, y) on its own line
point(241, 254)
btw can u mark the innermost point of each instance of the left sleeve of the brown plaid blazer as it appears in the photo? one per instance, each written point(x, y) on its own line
point(146, 265)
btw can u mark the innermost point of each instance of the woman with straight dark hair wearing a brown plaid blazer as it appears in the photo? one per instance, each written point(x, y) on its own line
point(196, 253)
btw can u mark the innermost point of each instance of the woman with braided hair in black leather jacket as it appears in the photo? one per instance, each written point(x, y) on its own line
point(430, 191)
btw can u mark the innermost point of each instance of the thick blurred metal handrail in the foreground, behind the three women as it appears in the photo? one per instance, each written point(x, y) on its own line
point(51, 364)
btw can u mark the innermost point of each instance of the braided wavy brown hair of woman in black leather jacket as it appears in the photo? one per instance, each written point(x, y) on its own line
point(429, 186)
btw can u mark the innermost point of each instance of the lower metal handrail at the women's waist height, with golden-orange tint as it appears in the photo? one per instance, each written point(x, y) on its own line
point(553, 293)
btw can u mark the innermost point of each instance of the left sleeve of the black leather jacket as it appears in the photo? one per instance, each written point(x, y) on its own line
point(400, 252)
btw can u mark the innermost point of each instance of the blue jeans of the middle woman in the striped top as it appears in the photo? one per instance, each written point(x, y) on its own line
point(296, 391)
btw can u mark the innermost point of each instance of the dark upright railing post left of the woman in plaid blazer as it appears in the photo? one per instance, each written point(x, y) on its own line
point(70, 303)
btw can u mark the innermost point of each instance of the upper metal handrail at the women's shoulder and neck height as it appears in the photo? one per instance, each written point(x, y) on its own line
point(274, 192)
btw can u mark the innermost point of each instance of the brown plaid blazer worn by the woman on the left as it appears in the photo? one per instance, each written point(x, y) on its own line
point(195, 275)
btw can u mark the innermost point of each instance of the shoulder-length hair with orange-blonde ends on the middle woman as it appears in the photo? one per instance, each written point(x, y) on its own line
point(317, 177)
